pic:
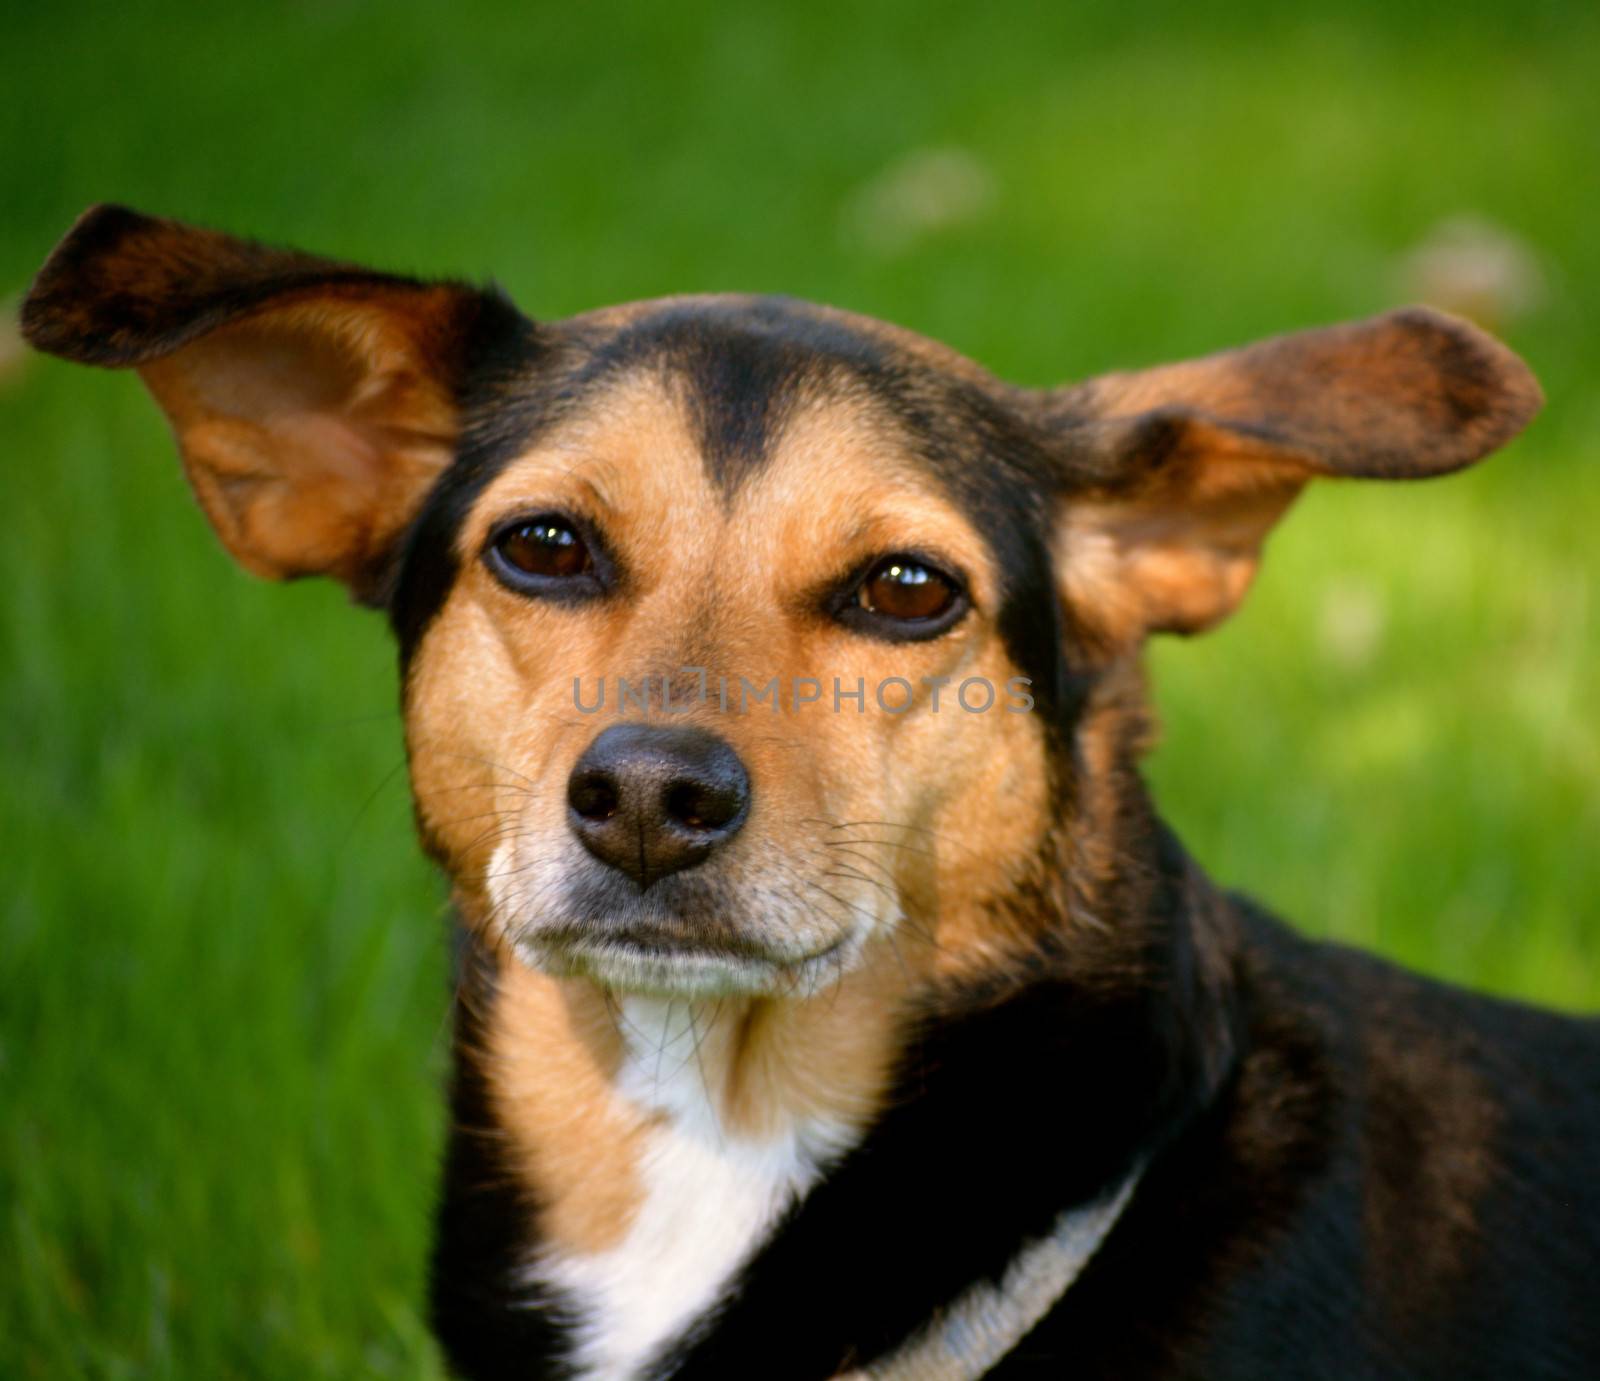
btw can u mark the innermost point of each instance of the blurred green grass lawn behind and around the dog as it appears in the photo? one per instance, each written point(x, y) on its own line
point(223, 996)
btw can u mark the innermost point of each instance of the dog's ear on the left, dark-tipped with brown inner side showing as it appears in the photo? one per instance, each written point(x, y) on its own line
point(314, 404)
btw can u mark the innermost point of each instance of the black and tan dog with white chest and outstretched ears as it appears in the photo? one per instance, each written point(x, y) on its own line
point(812, 1025)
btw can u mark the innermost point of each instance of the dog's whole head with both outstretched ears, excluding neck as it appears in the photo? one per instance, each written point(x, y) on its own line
point(738, 634)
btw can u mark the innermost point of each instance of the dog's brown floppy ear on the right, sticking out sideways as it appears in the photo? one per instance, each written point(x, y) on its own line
point(1178, 473)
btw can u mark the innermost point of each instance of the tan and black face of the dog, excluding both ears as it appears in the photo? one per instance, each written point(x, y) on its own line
point(737, 524)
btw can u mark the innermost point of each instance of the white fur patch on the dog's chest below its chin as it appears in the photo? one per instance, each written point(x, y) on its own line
point(710, 1199)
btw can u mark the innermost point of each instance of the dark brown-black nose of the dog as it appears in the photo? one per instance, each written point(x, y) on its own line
point(654, 801)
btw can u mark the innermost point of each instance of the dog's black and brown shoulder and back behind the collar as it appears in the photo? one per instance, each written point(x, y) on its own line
point(1393, 1185)
